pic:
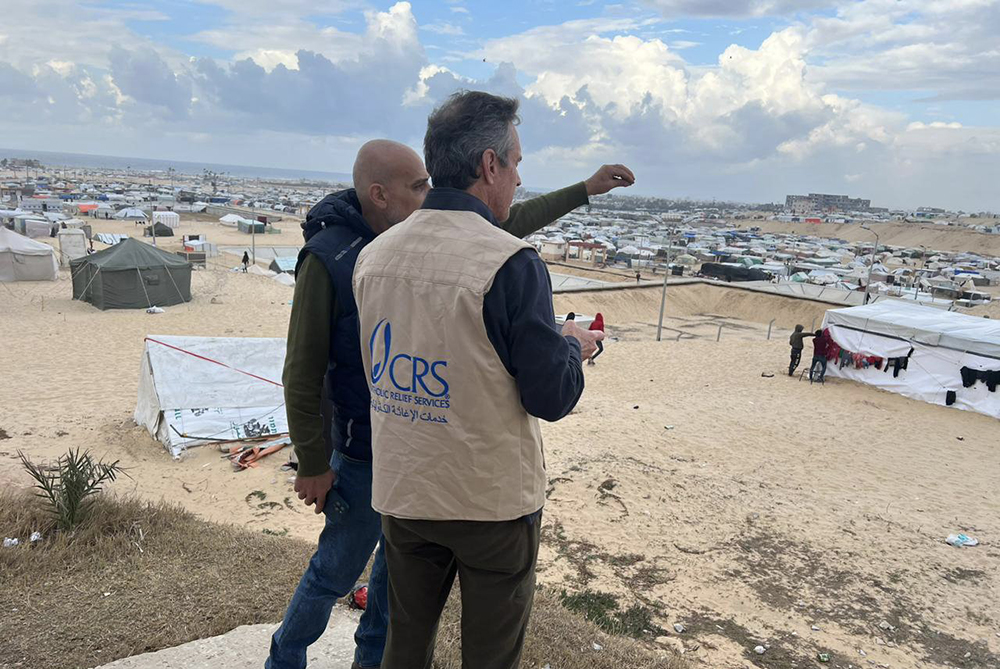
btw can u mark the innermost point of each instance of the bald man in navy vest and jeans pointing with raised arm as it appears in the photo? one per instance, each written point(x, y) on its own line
point(324, 353)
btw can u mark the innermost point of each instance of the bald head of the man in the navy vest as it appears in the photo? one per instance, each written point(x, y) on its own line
point(390, 181)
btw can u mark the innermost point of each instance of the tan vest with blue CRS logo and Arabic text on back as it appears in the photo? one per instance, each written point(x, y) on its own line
point(450, 439)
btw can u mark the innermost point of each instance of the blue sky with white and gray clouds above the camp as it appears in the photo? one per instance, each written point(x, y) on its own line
point(747, 100)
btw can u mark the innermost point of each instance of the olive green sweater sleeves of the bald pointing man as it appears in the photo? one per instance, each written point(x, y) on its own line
point(314, 304)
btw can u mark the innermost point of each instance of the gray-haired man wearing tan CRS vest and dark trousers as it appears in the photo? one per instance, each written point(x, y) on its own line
point(463, 355)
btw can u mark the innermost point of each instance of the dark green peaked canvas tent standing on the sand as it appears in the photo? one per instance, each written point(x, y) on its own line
point(131, 275)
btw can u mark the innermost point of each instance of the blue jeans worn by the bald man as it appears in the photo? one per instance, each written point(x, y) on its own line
point(344, 548)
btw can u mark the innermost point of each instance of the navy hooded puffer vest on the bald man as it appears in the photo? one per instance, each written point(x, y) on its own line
point(335, 232)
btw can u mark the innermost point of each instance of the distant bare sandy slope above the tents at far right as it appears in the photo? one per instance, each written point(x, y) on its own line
point(908, 235)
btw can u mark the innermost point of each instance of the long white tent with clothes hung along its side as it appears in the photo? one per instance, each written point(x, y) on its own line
point(929, 354)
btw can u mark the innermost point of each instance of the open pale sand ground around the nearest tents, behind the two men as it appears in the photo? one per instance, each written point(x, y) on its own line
point(745, 507)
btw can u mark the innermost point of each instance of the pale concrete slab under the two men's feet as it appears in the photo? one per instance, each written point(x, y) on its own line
point(246, 648)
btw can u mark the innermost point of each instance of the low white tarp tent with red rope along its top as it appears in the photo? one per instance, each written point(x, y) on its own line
point(198, 389)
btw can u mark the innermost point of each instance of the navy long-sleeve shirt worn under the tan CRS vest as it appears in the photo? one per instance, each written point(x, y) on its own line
point(521, 325)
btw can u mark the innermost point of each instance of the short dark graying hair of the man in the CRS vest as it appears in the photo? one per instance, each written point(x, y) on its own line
point(461, 130)
